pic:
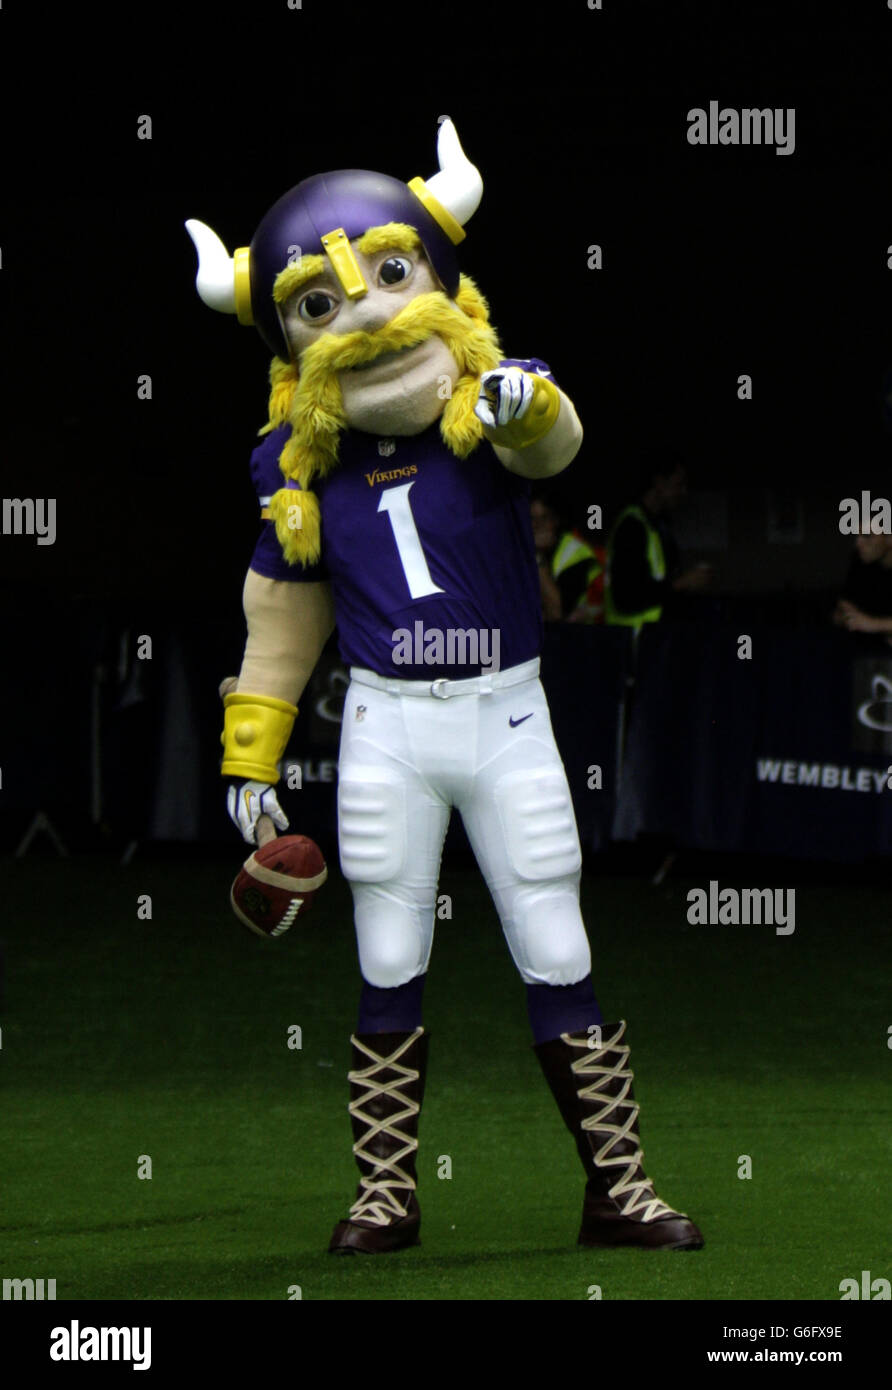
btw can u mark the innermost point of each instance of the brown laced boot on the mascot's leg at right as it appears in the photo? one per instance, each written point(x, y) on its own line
point(594, 1090)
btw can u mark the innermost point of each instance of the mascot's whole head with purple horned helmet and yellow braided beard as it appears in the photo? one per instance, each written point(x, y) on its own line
point(372, 326)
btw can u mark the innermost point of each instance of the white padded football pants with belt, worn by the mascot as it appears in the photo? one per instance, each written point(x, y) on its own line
point(413, 750)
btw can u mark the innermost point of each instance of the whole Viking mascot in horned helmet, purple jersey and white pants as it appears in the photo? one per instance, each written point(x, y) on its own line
point(394, 487)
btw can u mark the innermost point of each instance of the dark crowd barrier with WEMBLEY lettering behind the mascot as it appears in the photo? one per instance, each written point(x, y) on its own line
point(768, 740)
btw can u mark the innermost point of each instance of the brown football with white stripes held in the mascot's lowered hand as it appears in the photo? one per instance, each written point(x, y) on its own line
point(277, 885)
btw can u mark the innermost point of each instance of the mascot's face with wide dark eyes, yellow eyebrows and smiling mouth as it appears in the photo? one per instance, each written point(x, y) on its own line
point(398, 389)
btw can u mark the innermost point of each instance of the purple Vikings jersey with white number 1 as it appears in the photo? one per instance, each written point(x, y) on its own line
point(431, 558)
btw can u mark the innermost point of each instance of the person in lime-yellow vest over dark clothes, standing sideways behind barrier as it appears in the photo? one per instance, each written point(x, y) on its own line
point(644, 564)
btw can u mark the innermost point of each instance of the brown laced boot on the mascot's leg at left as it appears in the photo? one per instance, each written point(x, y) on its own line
point(387, 1090)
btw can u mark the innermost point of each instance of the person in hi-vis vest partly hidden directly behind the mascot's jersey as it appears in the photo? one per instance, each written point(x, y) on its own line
point(572, 571)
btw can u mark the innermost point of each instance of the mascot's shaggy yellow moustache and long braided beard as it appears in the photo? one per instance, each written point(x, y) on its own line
point(312, 404)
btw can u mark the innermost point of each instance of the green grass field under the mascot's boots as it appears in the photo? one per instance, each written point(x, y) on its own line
point(170, 1039)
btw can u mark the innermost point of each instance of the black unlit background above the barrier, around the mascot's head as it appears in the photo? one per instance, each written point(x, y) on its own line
point(716, 261)
